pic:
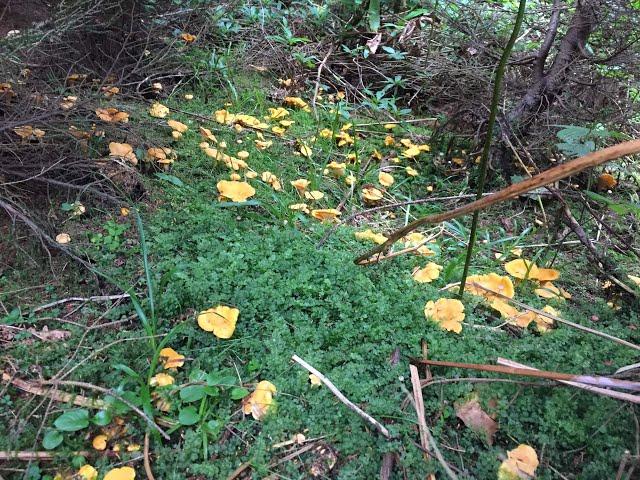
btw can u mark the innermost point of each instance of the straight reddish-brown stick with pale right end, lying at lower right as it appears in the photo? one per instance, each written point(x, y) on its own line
point(592, 380)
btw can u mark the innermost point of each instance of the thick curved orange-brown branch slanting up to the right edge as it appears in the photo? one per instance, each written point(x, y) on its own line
point(545, 178)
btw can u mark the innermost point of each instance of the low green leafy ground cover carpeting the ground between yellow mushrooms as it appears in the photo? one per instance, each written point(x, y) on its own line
point(346, 320)
